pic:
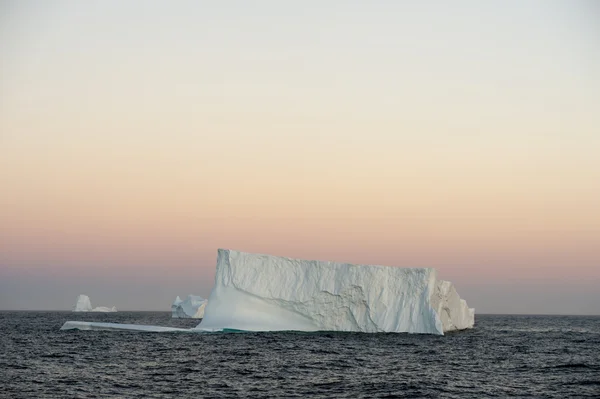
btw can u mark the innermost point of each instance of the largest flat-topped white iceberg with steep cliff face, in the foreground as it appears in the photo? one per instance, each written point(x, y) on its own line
point(268, 293)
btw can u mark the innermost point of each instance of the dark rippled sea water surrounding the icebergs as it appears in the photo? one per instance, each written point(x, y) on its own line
point(504, 356)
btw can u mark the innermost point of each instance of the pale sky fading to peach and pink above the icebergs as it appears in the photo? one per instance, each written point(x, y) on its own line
point(138, 137)
